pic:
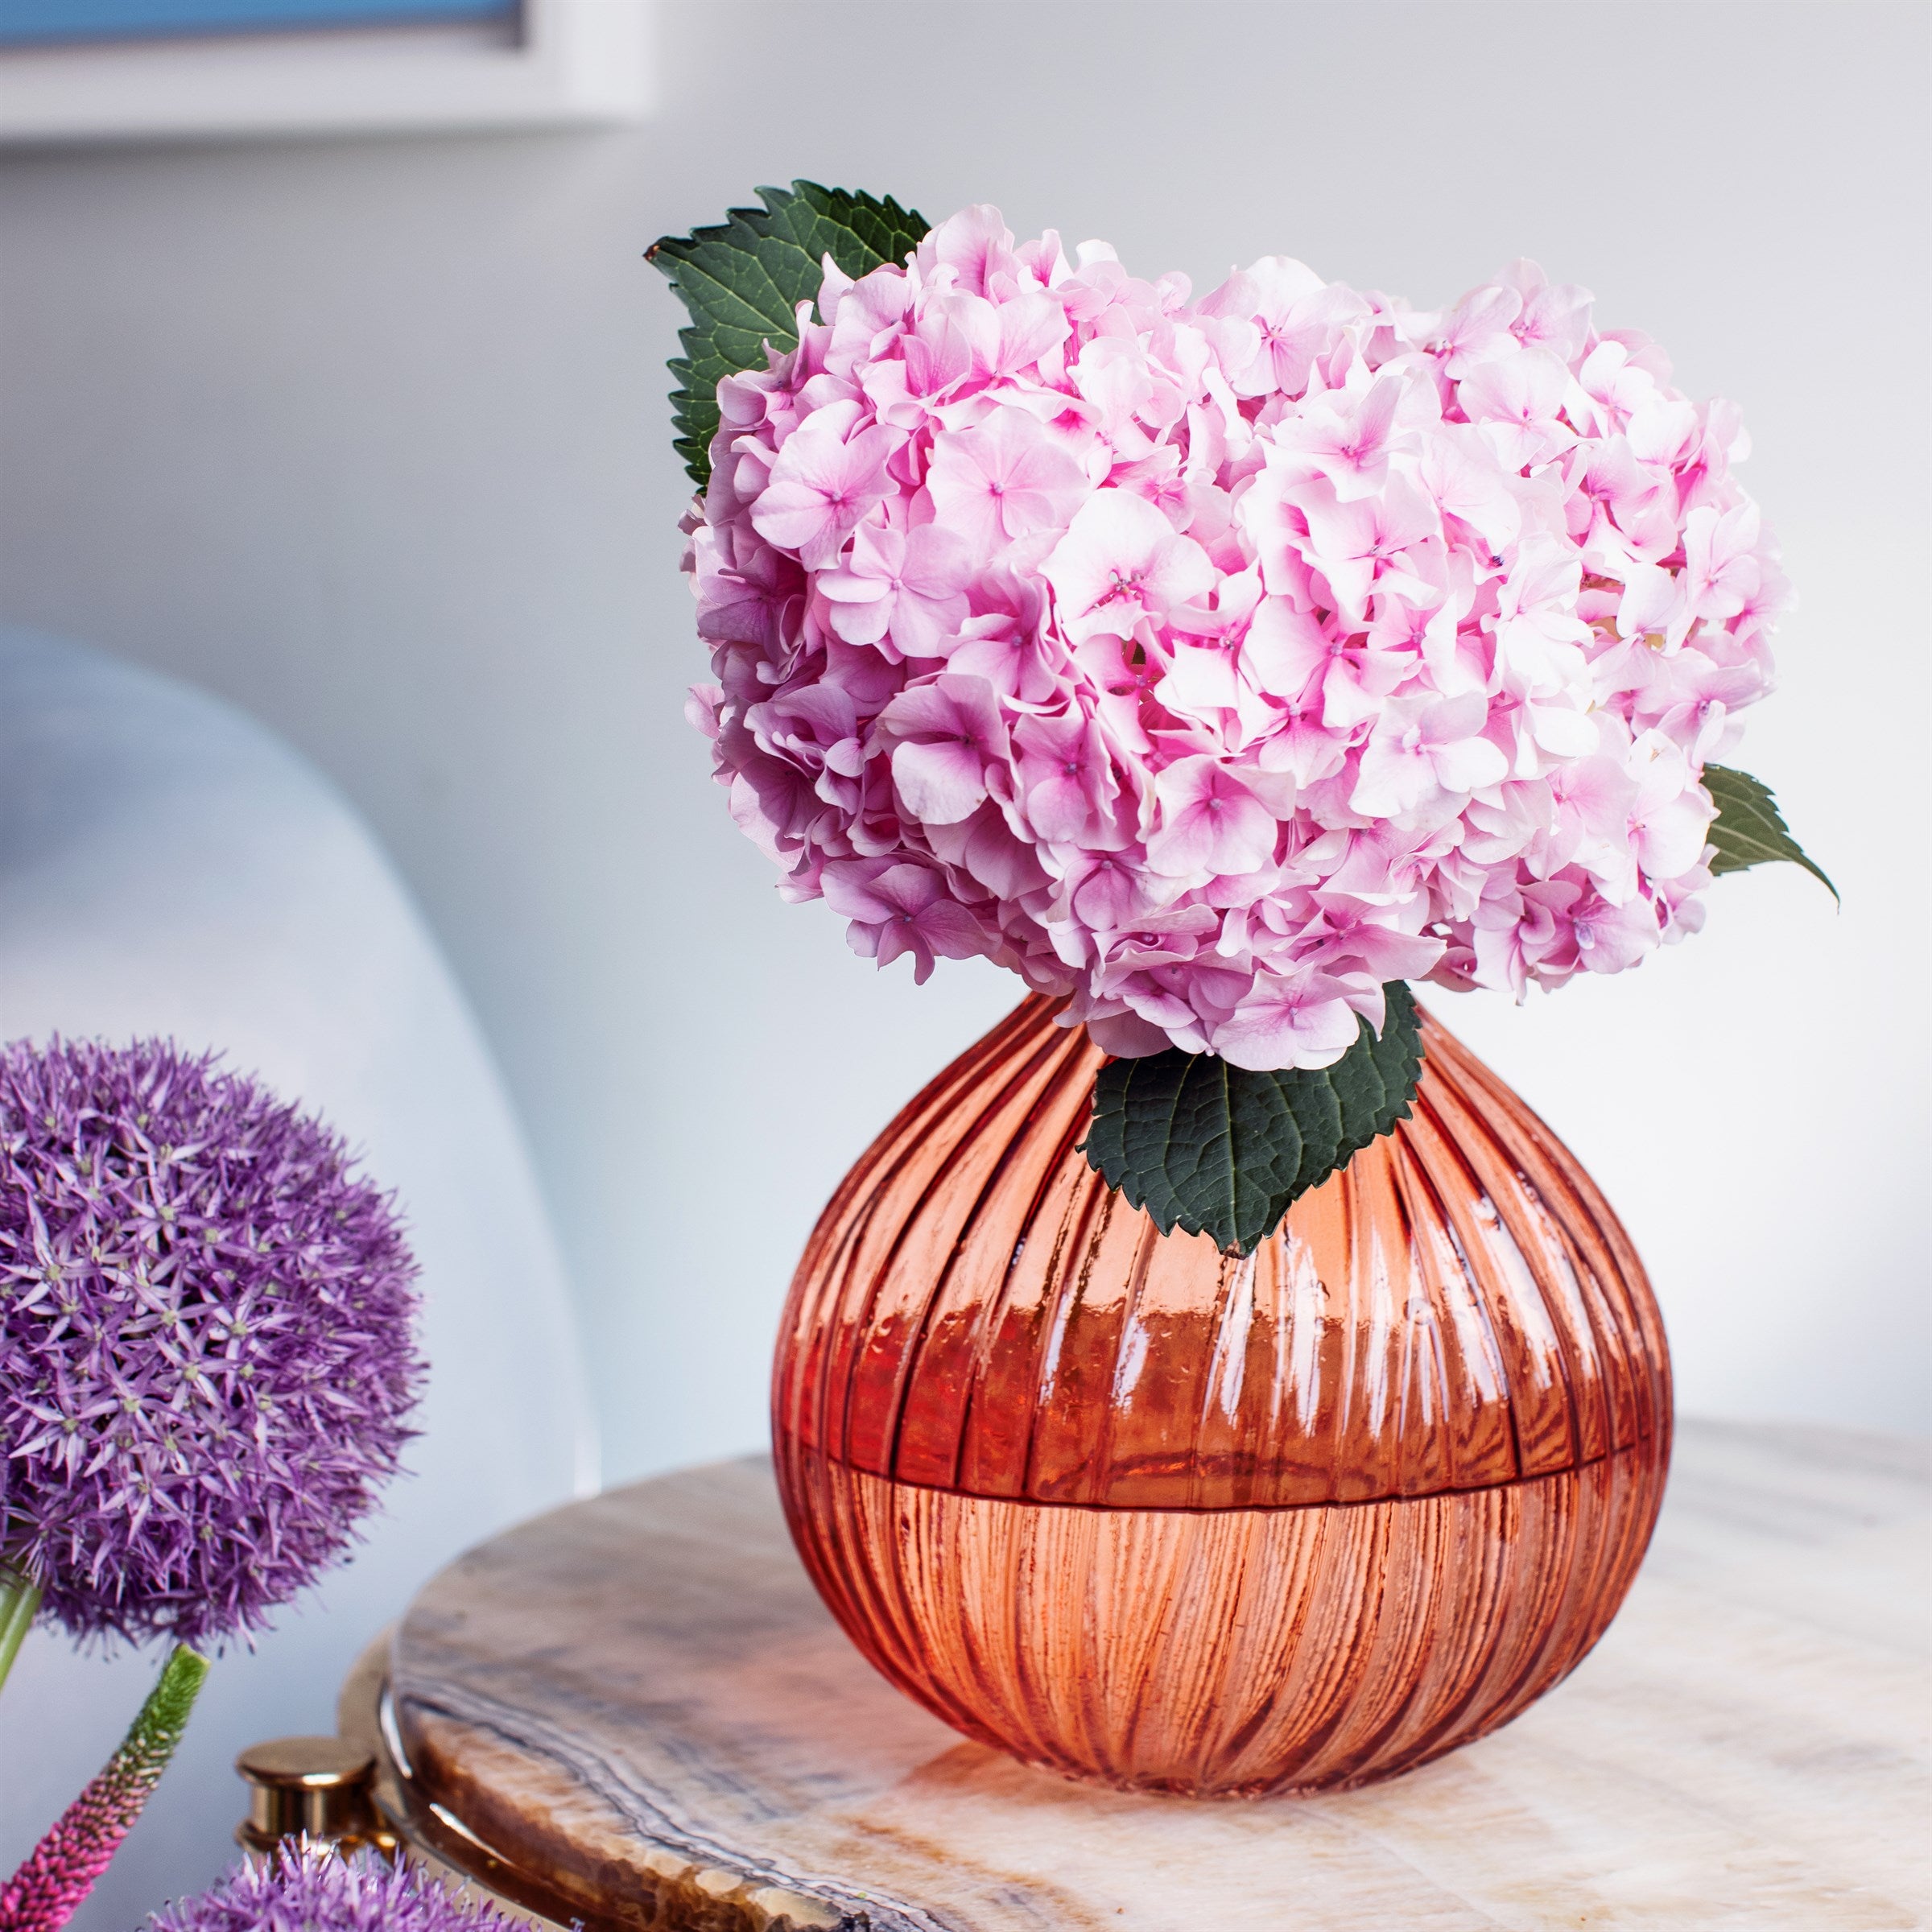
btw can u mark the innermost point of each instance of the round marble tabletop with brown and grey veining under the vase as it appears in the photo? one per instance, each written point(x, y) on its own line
point(640, 1705)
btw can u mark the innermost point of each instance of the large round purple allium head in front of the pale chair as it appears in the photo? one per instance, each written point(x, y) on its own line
point(206, 1342)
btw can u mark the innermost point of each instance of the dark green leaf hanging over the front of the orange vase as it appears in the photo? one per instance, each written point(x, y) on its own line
point(1218, 1151)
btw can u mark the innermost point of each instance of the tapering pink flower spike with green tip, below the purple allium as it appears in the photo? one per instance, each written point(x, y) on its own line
point(63, 1869)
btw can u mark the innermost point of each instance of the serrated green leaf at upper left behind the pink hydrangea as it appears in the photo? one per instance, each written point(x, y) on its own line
point(745, 281)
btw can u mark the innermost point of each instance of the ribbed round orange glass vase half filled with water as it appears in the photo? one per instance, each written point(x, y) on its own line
point(1147, 1514)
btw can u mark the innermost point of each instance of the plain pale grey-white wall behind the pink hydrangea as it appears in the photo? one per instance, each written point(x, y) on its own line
point(374, 440)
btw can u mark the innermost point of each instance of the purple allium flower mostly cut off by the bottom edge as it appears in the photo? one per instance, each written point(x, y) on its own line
point(314, 1890)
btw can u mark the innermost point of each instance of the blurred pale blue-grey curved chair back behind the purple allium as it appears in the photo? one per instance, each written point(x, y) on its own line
point(169, 867)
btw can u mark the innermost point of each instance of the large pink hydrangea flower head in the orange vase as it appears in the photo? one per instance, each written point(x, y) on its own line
point(1214, 664)
